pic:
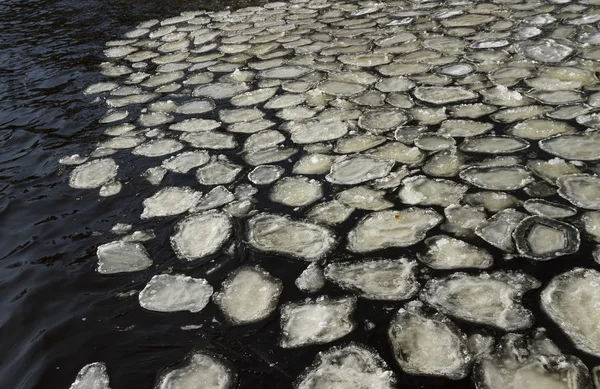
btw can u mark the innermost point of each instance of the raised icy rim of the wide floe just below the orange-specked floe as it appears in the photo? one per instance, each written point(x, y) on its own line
point(410, 264)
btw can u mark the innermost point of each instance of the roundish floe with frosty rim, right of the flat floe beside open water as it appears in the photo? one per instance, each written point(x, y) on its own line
point(248, 295)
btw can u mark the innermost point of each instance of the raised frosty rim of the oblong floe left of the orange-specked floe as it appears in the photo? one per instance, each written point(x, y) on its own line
point(327, 232)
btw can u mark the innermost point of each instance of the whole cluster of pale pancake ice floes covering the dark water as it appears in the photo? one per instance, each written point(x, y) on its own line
point(398, 151)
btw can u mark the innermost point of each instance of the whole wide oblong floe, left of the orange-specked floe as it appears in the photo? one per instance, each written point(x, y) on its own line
point(280, 234)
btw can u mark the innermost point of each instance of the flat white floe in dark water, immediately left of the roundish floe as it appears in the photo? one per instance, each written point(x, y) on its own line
point(171, 293)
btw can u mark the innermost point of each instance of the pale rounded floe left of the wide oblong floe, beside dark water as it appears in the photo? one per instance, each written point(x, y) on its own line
point(200, 235)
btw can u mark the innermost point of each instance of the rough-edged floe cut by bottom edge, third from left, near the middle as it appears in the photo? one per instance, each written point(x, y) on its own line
point(351, 366)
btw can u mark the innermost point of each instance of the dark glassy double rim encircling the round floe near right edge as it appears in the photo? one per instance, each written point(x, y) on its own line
point(520, 235)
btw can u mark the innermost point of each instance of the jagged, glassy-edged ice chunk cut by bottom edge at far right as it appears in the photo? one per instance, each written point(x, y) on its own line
point(520, 362)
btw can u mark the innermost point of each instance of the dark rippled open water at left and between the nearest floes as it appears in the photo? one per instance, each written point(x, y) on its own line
point(57, 314)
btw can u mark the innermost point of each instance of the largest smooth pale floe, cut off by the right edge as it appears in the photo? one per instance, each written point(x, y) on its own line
point(571, 301)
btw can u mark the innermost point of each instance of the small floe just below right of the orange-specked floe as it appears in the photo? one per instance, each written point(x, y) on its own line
point(444, 252)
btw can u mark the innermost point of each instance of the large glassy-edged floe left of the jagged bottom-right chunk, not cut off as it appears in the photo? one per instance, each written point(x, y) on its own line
point(428, 344)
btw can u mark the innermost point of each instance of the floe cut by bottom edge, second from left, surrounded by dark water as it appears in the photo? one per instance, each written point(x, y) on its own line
point(200, 371)
